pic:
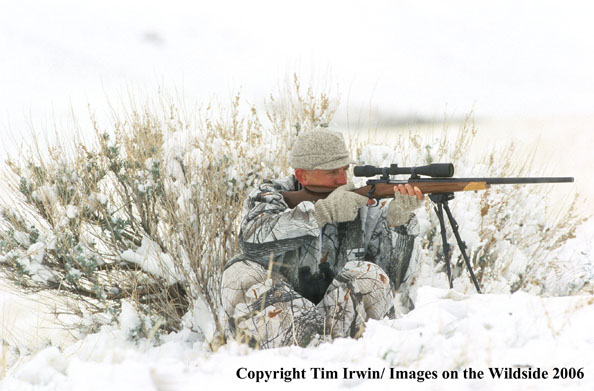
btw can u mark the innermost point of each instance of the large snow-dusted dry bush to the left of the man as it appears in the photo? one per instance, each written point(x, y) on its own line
point(148, 210)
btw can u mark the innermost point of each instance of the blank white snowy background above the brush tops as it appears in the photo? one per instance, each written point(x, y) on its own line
point(519, 59)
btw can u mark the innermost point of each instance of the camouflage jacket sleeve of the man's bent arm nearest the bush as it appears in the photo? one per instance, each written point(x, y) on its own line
point(270, 226)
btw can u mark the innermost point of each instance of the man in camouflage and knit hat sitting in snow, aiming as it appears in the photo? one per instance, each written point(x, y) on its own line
point(320, 269)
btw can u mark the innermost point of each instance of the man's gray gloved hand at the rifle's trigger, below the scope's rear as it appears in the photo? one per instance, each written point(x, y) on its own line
point(340, 206)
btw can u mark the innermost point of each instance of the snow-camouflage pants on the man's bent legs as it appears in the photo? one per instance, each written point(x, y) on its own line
point(264, 310)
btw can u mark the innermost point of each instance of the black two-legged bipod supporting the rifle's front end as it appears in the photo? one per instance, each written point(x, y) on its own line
point(441, 200)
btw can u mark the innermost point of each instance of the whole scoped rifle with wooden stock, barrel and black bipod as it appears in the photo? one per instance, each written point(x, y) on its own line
point(441, 187)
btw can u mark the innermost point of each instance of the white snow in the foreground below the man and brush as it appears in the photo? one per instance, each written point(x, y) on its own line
point(448, 331)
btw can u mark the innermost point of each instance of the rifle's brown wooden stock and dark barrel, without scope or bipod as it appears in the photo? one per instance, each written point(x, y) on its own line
point(378, 189)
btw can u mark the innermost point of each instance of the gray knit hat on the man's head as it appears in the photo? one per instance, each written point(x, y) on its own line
point(319, 149)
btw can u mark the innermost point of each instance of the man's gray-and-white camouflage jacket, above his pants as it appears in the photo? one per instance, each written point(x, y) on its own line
point(292, 238)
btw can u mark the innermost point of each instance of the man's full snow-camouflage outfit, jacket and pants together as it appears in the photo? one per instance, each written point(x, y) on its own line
point(283, 241)
